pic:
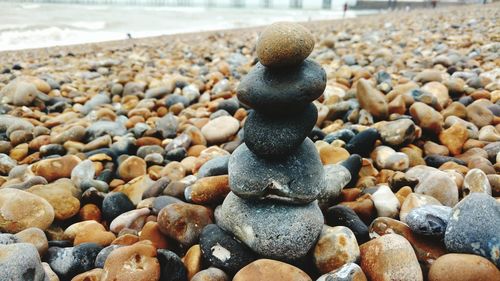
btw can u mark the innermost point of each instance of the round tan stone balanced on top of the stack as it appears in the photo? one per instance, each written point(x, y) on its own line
point(284, 44)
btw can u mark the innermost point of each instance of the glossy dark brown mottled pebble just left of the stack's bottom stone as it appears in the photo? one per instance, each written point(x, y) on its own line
point(192, 217)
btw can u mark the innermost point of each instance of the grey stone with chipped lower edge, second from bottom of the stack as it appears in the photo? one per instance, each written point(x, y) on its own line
point(297, 178)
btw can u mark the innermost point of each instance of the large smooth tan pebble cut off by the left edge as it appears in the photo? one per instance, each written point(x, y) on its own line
point(21, 210)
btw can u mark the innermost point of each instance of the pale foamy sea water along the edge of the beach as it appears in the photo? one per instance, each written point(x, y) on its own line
point(26, 25)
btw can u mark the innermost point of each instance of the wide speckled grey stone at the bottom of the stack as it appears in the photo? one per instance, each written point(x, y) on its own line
point(272, 229)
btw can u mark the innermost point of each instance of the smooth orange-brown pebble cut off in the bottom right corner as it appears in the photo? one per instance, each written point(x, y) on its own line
point(472, 268)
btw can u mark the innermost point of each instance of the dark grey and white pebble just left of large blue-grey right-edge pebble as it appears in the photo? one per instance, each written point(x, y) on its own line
point(429, 220)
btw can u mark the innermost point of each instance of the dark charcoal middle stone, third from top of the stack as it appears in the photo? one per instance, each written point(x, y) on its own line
point(277, 136)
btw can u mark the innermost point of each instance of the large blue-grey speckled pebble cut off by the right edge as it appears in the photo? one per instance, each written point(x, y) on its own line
point(474, 226)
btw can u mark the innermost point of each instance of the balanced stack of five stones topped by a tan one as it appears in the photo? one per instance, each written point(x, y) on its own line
point(277, 175)
